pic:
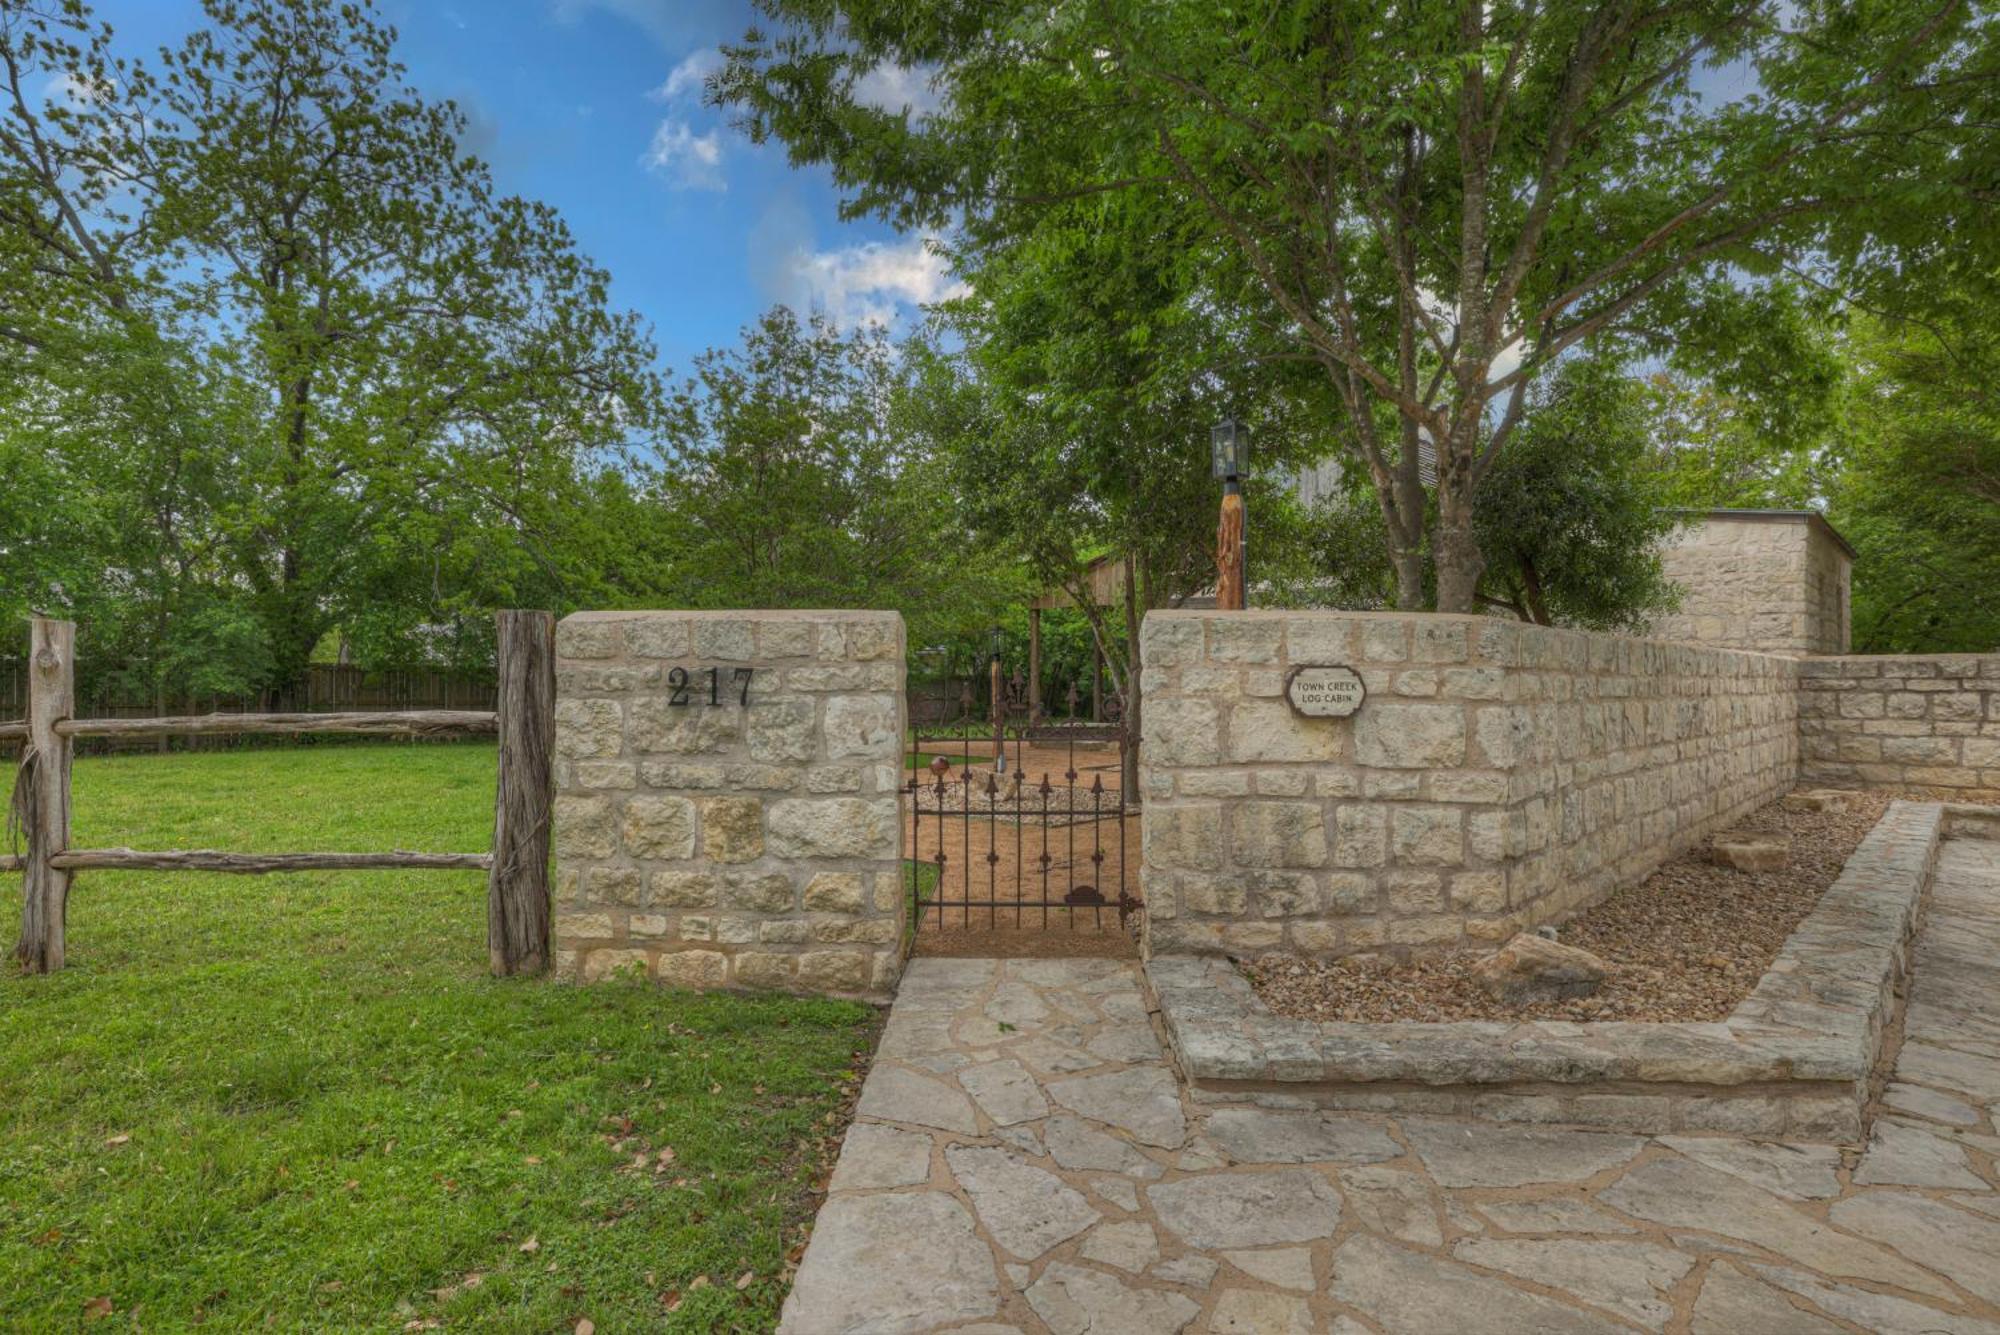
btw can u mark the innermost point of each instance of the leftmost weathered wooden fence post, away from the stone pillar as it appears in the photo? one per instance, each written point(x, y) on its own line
point(43, 794)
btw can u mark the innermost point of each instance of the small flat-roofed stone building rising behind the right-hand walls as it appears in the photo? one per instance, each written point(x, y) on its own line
point(1771, 581)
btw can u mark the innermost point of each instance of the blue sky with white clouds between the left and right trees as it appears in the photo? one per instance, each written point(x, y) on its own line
point(595, 107)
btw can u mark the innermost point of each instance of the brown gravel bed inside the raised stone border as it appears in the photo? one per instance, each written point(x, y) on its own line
point(1689, 942)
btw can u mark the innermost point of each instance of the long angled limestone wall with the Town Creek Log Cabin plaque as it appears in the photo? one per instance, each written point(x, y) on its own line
point(1495, 778)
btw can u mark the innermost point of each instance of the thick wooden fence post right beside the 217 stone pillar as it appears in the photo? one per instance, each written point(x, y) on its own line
point(517, 888)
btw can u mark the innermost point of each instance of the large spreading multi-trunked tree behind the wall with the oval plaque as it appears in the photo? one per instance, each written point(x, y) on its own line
point(1433, 203)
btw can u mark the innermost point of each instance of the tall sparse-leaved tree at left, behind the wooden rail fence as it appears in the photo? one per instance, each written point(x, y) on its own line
point(409, 379)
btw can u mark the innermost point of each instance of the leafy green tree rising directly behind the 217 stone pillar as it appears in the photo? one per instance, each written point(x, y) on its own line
point(791, 481)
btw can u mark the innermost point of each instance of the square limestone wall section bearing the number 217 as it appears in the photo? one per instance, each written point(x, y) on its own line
point(731, 830)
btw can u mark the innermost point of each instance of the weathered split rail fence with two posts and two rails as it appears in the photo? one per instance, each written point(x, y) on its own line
point(517, 870)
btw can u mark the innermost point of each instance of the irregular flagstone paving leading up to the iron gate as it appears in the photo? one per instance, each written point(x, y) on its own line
point(1025, 1160)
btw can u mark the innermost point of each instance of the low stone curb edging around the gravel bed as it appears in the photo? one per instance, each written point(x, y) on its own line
point(1793, 1060)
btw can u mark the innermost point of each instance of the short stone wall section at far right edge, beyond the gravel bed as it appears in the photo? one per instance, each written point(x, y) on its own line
point(1925, 720)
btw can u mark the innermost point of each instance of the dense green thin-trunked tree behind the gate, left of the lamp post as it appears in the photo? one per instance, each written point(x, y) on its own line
point(1077, 423)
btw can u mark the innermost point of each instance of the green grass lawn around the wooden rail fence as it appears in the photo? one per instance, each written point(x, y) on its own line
point(299, 1102)
